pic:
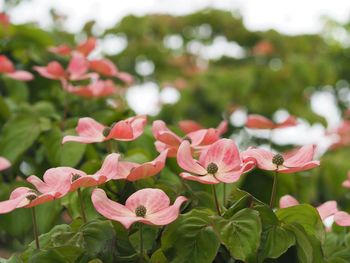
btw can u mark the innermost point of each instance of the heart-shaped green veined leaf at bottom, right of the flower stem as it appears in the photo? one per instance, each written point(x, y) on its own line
point(240, 234)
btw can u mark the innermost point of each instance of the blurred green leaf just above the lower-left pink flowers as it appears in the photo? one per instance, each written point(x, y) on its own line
point(58, 154)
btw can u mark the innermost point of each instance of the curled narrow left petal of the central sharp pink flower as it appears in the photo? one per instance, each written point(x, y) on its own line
point(186, 161)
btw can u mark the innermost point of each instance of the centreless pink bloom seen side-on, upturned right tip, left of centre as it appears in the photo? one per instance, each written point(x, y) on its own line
point(134, 171)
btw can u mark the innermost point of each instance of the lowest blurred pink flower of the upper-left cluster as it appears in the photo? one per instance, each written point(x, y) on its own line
point(99, 88)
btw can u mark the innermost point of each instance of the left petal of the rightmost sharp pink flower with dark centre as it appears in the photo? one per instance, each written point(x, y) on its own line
point(263, 158)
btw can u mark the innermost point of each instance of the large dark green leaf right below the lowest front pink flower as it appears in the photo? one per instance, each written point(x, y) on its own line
point(190, 239)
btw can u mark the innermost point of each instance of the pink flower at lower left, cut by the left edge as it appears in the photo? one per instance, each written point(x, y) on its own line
point(26, 197)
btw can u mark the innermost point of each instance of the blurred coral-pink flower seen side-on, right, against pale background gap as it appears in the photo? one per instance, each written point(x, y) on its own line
point(260, 122)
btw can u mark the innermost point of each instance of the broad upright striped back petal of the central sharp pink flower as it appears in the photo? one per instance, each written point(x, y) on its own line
point(224, 154)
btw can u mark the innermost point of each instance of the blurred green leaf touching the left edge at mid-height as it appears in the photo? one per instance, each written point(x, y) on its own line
point(18, 134)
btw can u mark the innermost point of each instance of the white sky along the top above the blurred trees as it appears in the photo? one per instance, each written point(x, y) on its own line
point(288, 16)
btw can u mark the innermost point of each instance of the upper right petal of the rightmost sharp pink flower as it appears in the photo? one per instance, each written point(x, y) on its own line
point(300, 156)
